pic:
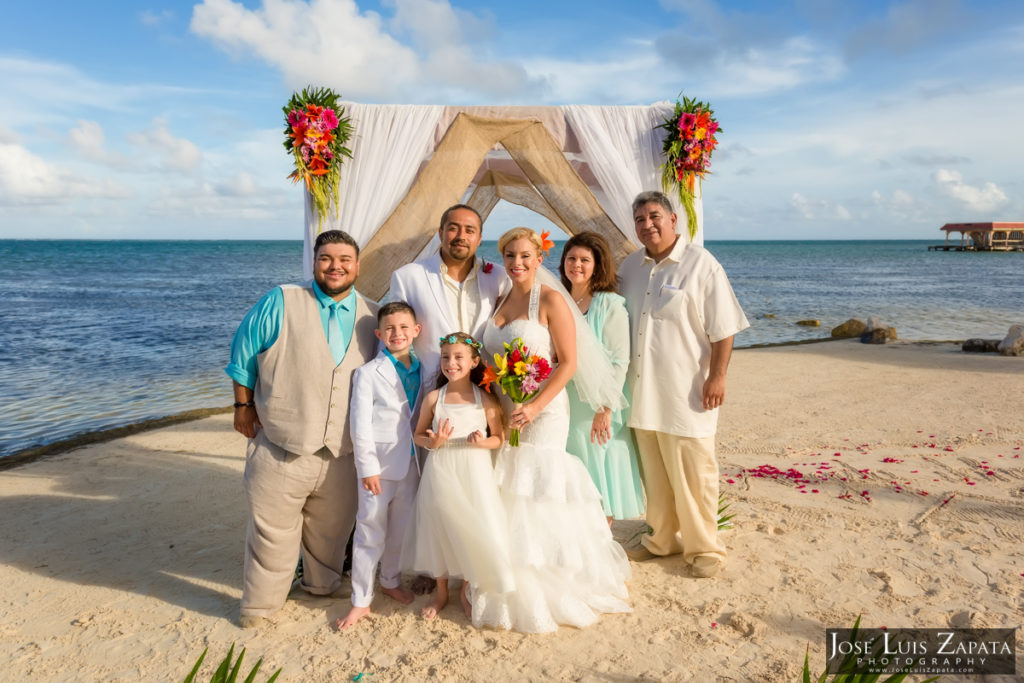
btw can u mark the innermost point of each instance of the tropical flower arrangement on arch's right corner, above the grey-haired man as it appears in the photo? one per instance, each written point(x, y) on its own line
point(689, 147)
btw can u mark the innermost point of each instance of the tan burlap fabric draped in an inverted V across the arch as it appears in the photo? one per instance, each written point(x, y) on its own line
point(452, 169)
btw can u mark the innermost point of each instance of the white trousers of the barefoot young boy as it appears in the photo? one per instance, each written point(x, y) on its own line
point(380, 529)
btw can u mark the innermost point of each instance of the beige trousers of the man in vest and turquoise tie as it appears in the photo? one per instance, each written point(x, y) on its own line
point(295, 502)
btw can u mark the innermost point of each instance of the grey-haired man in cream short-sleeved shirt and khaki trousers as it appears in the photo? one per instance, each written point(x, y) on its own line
point(684, 316)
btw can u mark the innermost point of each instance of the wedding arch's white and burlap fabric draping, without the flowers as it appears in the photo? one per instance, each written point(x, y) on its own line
point(579, 166)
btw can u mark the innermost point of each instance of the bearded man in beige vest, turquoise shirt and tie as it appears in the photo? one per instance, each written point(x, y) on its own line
point(292, 364)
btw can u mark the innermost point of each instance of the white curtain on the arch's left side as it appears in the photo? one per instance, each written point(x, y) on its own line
point(390, 144)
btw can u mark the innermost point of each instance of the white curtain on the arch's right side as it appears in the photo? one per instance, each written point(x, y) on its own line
point(623, 149)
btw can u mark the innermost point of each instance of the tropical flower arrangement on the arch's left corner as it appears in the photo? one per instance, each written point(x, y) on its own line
point(316, 134)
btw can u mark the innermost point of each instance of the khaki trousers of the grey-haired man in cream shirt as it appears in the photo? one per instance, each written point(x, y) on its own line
point(680, 476)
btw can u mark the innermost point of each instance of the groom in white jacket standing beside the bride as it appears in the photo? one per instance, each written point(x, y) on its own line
point(452, 290)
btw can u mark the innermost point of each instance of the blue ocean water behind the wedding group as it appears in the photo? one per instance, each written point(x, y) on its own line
point(99, 334)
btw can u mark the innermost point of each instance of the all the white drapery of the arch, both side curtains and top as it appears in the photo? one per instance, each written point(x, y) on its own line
point(619, 147)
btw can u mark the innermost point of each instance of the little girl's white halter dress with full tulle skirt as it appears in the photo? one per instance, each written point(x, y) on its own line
point(459, 528)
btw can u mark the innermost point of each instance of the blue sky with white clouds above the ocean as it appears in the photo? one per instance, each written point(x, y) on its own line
point(842, 120)
